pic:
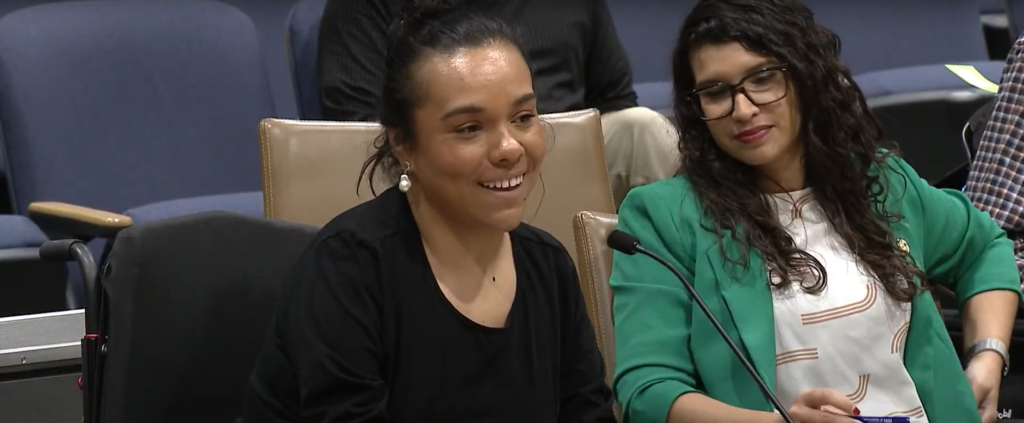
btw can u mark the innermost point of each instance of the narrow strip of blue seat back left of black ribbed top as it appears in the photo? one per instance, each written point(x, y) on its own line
point(304, 33)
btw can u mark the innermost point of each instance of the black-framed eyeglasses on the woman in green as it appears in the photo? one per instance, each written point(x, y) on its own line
point(762, 88)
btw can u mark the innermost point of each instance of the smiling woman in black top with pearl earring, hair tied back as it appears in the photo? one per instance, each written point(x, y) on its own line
point(434, 303)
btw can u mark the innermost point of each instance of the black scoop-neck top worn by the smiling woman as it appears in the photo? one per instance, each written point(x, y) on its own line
point(365, 334)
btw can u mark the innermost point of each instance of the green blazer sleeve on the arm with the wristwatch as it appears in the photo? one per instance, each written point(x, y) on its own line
point(965, 249)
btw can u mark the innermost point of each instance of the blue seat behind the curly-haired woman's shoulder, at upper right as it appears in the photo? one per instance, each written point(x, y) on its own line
point(898, 53)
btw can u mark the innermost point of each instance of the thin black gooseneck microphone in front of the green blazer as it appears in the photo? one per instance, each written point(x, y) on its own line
point(630, 245)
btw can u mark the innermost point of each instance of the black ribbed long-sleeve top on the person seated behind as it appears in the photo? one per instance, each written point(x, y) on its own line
point(572, 46)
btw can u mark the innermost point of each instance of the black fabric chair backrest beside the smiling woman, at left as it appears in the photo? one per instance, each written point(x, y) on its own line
point(186, 325)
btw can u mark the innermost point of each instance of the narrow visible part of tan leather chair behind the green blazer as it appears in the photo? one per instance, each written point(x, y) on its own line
point(591, 231)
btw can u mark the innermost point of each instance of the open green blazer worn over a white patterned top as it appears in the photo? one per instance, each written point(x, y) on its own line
point(666, 348)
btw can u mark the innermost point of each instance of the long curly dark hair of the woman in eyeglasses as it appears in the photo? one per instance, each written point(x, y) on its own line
point(841, 142)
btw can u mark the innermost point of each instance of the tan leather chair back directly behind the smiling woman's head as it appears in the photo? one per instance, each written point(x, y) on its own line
point(311, 171)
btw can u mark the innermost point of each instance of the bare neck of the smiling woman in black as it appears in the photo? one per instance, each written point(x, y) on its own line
point(451, 242)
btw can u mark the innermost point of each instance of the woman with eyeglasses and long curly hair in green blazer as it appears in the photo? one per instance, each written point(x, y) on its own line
point(814, 247)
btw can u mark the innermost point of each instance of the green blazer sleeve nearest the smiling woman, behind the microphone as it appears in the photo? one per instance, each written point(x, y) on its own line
point(652, 310)
